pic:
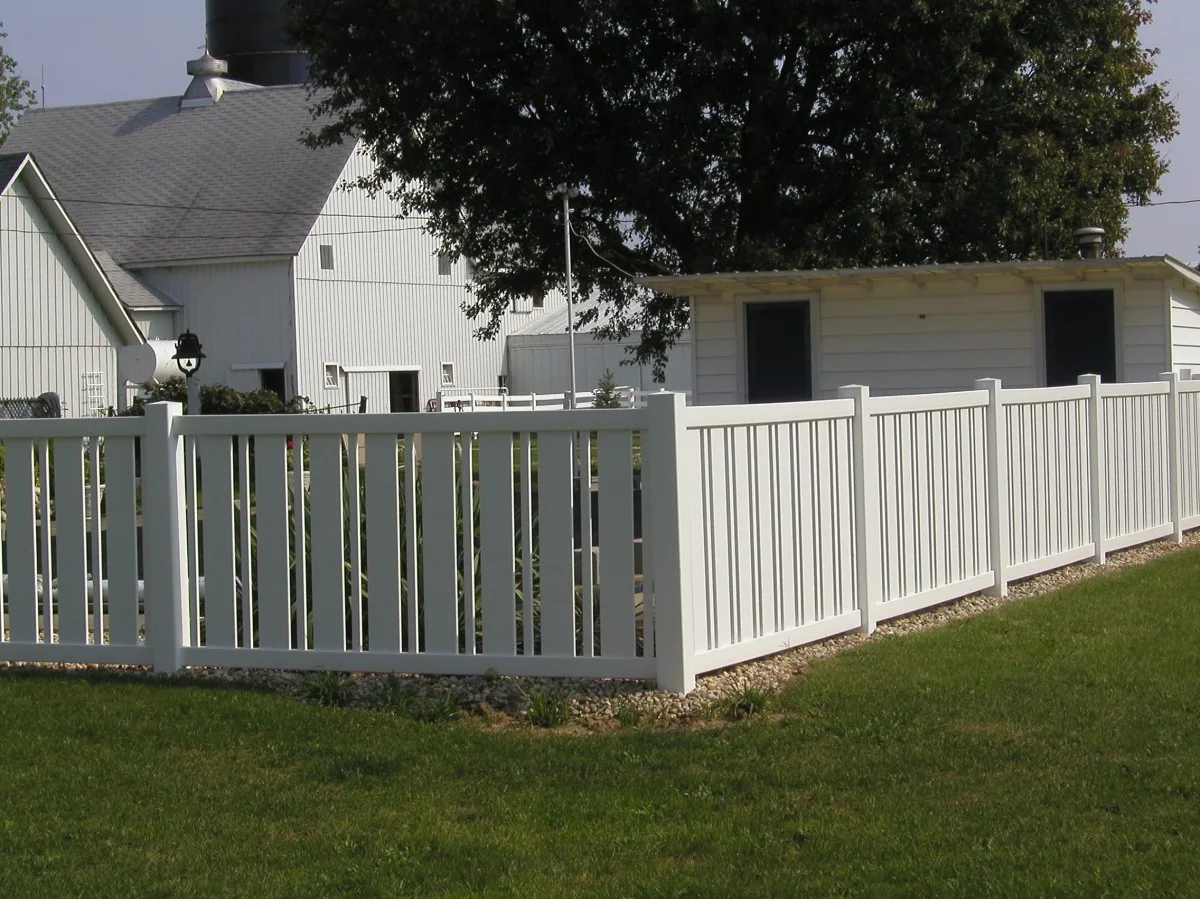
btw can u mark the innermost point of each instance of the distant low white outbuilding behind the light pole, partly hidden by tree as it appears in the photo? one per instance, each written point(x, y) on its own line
point(539, 359)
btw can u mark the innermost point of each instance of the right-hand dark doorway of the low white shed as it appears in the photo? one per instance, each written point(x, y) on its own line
point(1081, 328)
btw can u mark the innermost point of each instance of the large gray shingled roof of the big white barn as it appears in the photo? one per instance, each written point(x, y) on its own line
point(152, 183)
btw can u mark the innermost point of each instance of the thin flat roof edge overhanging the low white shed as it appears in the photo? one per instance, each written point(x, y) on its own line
point(1051, 272)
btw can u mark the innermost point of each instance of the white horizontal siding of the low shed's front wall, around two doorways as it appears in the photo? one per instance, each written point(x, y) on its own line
point(903, 338)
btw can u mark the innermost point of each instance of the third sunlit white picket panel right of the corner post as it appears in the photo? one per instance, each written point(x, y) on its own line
point(1049, 470)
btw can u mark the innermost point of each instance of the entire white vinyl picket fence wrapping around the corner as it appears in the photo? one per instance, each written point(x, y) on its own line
point(645, 543)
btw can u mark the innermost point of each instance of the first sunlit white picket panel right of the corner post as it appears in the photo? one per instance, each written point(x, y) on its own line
point(773, 528)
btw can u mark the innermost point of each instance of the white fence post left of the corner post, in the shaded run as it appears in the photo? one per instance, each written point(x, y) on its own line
point(164, 534)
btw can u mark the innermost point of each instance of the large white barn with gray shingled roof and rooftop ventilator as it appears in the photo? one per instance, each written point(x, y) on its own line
point(225, 224)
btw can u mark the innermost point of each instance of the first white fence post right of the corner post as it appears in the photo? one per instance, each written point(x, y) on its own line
point(867, 502)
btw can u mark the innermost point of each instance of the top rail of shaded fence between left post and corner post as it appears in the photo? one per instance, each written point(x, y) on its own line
point(416, 423)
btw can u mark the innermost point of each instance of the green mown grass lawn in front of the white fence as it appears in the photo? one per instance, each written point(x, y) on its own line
point(1049, 748)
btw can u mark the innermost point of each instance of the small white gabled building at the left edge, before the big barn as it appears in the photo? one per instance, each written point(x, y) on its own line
point(62, 322)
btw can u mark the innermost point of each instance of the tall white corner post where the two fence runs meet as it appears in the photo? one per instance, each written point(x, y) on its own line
point(671, 483)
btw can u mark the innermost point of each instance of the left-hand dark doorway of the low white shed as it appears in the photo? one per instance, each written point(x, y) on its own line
point(779, 357)
